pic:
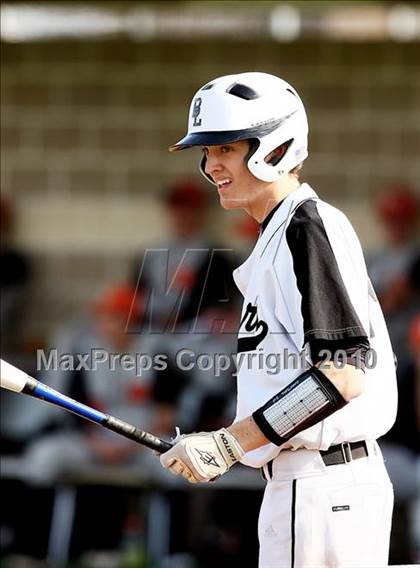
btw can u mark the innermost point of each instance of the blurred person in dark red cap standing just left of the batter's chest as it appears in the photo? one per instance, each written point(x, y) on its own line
point(189, 289)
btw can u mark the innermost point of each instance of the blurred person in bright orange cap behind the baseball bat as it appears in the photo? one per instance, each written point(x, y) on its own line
point(64, 441)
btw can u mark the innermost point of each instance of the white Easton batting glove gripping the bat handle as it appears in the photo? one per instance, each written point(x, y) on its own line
point(204, 456)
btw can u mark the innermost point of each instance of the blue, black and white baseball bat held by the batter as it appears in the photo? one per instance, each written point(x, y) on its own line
point(14, 379)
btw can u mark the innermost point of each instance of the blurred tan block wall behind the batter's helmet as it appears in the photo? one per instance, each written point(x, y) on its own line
point(86, 123)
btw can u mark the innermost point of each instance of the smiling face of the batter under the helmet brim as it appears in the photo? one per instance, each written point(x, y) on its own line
point(236, 186)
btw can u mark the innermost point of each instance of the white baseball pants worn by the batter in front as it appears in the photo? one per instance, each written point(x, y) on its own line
point(336, 516)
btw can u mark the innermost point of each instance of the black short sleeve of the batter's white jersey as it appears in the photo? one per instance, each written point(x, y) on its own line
point(326, 308)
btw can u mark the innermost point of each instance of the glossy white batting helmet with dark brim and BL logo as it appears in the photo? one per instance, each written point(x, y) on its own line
point(258, 107)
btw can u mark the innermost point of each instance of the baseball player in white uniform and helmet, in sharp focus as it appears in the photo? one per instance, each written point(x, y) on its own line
point(312, 423)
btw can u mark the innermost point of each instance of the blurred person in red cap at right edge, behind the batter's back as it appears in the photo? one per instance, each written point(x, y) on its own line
point(394, 271)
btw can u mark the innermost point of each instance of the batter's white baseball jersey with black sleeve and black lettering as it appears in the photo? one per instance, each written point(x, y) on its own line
point(306, 279)
